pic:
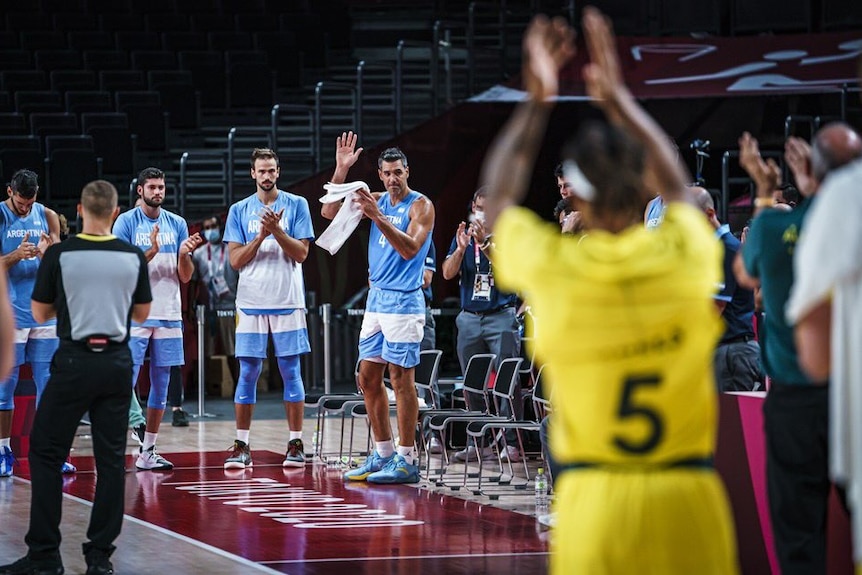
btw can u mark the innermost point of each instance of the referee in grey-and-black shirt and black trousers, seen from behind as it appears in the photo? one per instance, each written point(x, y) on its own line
point(95, 284)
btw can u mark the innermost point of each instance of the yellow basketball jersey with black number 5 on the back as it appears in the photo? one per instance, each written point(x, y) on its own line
point(626, 326)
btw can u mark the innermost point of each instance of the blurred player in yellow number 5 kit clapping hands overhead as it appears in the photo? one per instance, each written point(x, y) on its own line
point(626, 326)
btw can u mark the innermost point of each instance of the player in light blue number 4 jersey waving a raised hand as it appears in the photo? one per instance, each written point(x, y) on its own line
point(393, 326)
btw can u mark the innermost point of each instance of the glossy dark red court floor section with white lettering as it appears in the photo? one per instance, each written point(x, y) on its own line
point(309, 521)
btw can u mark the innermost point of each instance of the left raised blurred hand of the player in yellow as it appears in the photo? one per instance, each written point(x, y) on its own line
point(547, 46)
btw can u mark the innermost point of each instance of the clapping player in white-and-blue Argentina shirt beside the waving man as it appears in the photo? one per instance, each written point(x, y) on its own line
point(267, 236)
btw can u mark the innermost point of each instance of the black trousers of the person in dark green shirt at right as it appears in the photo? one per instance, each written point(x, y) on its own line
point(796, 419)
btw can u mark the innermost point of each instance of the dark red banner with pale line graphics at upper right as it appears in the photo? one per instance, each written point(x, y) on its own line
point(688, 67)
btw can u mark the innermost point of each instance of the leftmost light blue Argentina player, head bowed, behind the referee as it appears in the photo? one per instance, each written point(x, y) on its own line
point(27, 229)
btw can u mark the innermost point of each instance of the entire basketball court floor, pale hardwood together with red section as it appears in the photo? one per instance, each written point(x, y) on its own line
point(200, 518)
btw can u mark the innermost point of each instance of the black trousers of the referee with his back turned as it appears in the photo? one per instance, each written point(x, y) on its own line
point(81, 381)
